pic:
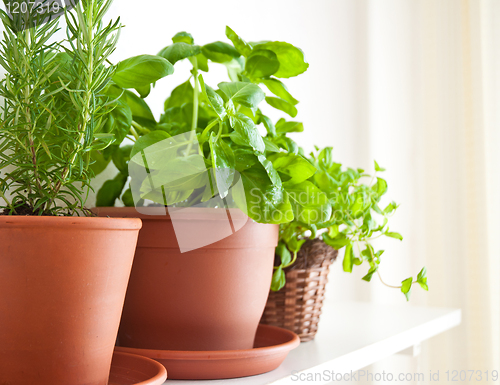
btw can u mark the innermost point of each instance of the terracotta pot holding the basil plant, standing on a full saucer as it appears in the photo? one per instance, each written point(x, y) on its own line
point(209, 298)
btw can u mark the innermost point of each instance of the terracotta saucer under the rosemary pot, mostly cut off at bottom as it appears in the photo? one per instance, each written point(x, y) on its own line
point(131, 369)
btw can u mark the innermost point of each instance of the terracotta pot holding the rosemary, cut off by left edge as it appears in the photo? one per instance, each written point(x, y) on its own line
point(62, 287)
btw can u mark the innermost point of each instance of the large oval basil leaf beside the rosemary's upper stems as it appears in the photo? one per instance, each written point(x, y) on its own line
point(139, 71)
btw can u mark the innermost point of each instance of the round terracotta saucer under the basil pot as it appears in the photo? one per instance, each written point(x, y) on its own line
point(272, 345)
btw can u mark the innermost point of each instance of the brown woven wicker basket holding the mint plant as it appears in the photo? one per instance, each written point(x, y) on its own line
point(297, 307)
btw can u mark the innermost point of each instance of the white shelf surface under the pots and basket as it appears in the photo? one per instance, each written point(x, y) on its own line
point(352, 336)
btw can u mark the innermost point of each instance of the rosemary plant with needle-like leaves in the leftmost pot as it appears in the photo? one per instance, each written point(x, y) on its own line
point(53, 113)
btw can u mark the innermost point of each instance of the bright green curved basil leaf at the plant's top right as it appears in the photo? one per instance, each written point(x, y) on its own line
point(292, 62)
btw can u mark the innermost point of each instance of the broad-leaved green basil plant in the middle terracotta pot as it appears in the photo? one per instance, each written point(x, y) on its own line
point(224, 121)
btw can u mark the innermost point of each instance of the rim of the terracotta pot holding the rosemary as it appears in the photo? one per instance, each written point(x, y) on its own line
point(90, 223)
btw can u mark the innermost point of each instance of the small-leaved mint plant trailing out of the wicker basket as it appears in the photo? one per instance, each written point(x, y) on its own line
point(355, 221)
